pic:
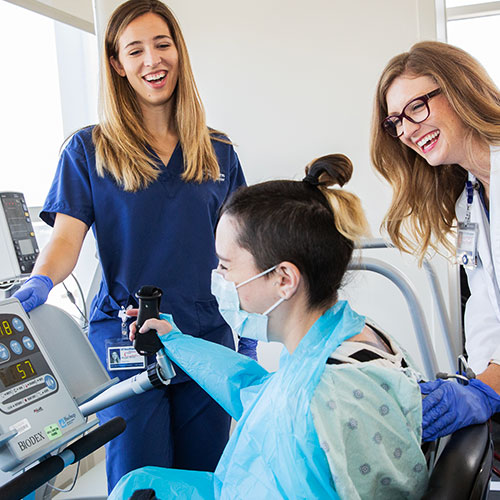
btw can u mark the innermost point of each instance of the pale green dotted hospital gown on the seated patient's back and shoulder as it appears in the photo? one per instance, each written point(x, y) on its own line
point(368, 418)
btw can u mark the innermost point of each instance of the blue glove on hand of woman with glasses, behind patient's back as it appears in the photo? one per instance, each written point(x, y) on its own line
point(449, 406)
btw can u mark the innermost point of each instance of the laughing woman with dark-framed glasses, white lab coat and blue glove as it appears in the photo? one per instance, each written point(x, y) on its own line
point(436, 140)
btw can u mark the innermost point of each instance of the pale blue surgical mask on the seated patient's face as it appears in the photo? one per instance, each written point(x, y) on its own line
point(245, 324)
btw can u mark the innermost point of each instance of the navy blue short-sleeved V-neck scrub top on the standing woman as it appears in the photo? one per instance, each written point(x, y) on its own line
point(162, 235)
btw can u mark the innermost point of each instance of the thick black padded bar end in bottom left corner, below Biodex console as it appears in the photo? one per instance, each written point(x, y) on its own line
point(32, 479)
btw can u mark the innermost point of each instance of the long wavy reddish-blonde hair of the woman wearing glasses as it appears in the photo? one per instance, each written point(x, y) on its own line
point(422, 211)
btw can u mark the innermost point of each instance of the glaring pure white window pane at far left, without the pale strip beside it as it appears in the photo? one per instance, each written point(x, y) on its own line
point(31, 125)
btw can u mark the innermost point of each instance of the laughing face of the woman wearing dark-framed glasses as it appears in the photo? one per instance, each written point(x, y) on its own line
point(440, 139)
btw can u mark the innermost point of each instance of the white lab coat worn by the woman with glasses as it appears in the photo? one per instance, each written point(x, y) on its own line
point(482, 313)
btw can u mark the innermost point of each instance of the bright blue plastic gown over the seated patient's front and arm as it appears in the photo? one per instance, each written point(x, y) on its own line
point(274, 451)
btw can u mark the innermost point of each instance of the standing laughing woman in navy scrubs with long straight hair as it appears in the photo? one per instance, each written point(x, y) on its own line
point(149, 180)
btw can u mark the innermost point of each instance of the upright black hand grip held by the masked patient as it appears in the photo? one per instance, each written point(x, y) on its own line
point(149, 307)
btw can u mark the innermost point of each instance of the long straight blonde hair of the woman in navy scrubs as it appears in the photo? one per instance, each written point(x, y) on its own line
point(121, 140)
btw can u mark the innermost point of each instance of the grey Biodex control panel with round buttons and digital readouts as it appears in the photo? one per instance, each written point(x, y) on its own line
point(36, 410)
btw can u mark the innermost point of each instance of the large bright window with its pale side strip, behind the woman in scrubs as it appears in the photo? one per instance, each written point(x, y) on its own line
point(39, 108)
